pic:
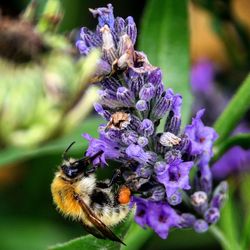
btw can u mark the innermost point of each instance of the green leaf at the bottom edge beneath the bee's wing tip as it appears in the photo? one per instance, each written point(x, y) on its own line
point(90, 242)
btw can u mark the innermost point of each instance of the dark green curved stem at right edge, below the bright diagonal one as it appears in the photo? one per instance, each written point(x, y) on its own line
point(242, 140)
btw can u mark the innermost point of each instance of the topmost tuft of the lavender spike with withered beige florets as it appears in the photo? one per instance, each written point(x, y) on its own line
point(116, 38)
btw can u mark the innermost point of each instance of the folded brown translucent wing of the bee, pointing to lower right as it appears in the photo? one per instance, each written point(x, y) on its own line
point(100, 230)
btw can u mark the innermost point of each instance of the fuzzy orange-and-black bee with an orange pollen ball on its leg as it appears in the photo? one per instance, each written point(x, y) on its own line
point(77, 193)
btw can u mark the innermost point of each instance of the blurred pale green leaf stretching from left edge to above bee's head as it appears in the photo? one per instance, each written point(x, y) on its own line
point(11, 155)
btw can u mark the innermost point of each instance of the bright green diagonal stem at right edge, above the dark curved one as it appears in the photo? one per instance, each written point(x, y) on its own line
point(234, 112)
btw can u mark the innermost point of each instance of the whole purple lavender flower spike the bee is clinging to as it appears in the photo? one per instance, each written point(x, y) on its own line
point(155, 163)
